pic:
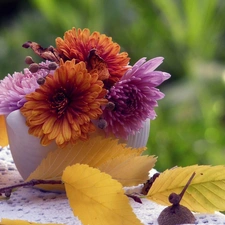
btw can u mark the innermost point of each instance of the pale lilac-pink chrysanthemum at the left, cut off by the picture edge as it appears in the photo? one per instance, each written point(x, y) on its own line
point(13, 88)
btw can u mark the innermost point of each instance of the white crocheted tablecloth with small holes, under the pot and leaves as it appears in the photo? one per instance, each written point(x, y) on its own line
point(35, 205)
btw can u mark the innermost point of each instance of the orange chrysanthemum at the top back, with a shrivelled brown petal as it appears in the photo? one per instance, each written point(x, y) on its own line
point(97, 50)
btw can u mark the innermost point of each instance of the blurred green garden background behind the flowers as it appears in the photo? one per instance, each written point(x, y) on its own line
point(189, 34)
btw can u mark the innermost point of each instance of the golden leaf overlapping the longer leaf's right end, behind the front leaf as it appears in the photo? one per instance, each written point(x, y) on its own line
point(129, 170)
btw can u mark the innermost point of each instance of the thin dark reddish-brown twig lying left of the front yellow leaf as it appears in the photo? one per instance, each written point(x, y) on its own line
point(8, 190)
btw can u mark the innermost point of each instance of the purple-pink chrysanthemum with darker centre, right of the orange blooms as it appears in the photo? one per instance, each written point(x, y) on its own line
point(134, 98)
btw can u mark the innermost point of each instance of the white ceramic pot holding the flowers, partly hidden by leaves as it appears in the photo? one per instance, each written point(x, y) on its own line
point(27, 152)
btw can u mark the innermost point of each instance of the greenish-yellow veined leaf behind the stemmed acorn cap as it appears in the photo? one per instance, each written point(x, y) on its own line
point(206, 193)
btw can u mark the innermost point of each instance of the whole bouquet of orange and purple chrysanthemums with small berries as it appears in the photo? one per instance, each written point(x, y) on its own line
point(83, 85)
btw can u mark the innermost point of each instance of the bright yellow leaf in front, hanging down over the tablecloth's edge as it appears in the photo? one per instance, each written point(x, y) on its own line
point(96, 198)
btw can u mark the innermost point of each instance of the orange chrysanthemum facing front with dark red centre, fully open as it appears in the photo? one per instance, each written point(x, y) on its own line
point(63, 107)
